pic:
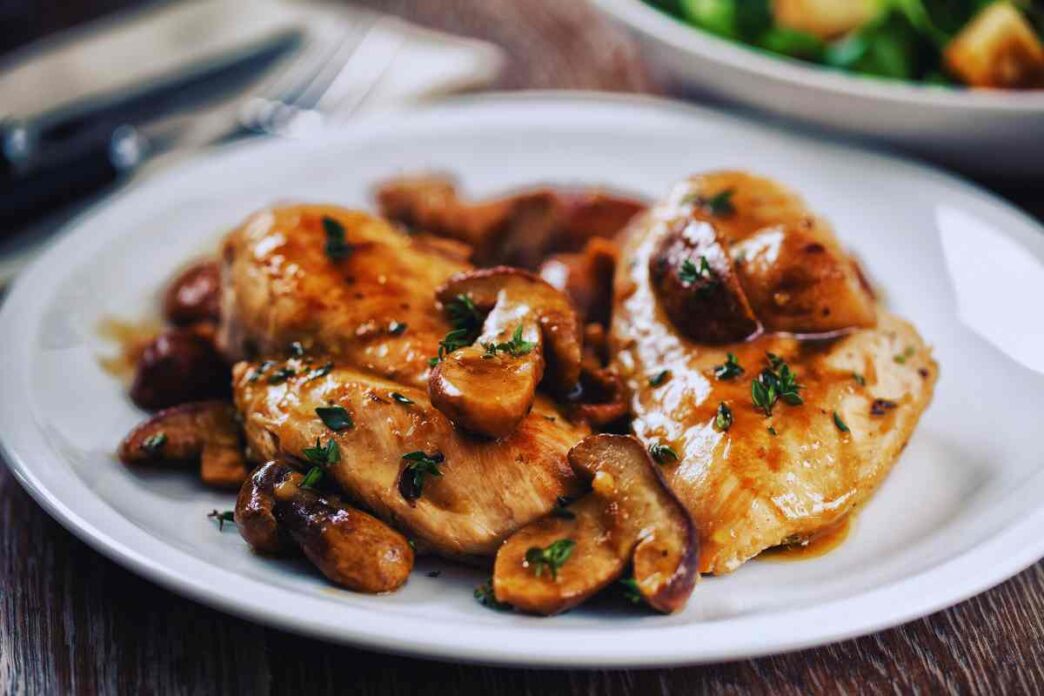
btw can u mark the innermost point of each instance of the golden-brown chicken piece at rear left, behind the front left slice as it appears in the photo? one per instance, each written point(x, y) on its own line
point(340, 282)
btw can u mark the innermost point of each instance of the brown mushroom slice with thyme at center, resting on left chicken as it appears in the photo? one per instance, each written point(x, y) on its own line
point(489, 388)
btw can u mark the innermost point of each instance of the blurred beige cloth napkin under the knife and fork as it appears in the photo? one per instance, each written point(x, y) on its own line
point(398, 63)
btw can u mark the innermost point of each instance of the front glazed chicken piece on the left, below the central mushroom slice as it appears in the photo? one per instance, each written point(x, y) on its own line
point(484, 490)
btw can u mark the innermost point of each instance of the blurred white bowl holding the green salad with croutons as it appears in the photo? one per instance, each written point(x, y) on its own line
point(987, 133)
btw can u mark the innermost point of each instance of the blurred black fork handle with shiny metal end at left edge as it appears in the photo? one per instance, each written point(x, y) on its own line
point(38, 177)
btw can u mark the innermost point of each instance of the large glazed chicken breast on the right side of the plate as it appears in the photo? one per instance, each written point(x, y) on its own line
point(755, 476)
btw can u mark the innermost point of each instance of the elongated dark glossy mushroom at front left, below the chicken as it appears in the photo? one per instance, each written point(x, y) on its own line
point(353, 549)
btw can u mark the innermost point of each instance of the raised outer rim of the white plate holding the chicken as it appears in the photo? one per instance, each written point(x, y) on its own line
point(1005, 555)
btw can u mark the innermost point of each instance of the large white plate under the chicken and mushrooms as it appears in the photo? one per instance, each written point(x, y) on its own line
point(961, 513)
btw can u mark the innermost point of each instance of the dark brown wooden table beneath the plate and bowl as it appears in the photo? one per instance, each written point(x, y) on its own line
point(74, 622)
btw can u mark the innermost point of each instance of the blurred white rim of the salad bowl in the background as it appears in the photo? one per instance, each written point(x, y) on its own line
point(701, 44)
